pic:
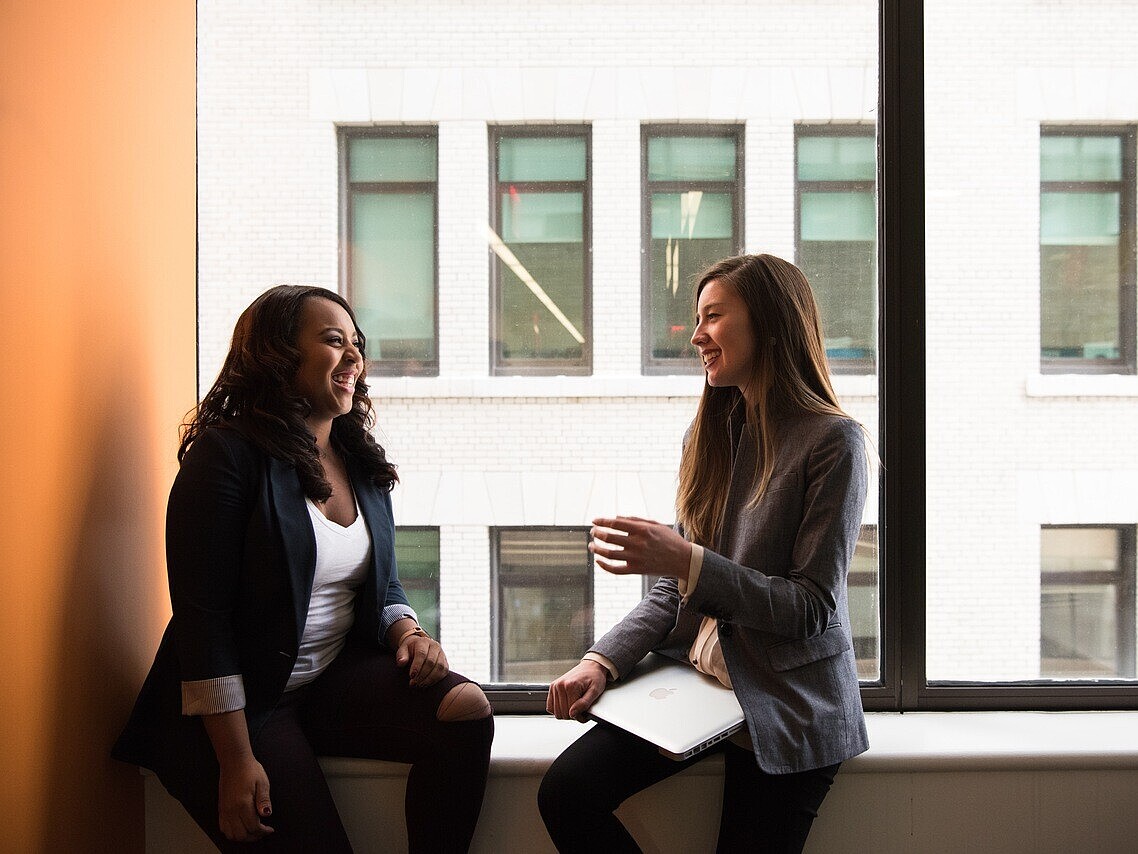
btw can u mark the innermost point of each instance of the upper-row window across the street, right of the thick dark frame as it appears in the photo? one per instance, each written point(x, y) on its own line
point(1087, 249)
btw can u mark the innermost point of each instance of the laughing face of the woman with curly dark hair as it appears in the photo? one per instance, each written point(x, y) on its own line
point(331, 362)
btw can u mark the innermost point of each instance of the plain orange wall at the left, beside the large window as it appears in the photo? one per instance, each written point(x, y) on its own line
point(97, 335)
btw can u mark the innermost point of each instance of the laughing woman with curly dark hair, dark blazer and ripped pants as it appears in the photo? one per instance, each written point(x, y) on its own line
point(292, 636)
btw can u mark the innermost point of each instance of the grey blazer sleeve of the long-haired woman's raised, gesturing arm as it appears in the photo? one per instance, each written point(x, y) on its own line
point(796, 592)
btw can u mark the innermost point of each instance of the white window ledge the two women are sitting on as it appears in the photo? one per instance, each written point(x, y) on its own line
point(900, 743)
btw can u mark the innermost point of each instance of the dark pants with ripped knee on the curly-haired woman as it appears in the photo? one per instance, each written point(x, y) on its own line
point(362, 707)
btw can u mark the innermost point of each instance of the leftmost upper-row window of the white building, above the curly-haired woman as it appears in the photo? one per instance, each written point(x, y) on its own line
point(391, 196)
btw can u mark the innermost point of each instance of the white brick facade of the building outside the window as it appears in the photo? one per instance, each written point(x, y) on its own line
point(1009, 449)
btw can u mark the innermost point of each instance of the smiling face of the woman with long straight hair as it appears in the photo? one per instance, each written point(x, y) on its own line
point(724, 336)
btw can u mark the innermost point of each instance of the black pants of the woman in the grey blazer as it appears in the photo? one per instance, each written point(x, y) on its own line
point(769, 814)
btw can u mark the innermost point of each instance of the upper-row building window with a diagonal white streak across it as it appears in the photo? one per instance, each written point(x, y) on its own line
point(540, 251)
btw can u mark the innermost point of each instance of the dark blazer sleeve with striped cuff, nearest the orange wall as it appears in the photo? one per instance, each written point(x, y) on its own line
point(207, 519)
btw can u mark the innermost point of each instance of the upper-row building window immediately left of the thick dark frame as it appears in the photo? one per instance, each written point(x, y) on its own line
point(836, 231)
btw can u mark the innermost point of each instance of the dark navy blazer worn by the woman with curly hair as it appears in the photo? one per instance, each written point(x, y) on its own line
point(241, 559)
